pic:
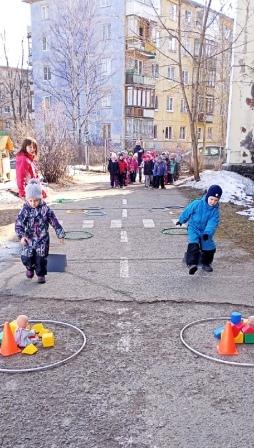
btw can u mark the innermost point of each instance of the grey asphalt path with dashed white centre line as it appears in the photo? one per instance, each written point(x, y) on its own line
point(135, 384)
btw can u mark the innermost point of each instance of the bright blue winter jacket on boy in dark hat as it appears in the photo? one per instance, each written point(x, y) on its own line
point(202, 218)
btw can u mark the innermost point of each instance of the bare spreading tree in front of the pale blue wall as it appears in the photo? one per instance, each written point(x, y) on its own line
point(76, 71)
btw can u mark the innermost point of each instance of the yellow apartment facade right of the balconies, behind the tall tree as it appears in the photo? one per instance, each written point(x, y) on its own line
point(171, 124)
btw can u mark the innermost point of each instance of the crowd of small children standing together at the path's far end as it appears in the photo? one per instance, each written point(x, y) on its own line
point(158, 170)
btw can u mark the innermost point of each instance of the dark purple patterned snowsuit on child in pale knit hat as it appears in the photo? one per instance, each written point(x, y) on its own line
point(33, 223)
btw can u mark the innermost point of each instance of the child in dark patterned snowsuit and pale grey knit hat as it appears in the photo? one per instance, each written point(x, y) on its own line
point(32, 230)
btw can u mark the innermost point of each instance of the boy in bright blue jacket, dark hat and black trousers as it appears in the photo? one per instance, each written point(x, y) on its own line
point(203, 219)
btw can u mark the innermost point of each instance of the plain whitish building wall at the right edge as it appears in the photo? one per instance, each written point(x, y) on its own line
point(240, 136)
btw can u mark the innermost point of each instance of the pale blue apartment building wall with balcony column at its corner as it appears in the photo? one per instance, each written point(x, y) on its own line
point(127, 32)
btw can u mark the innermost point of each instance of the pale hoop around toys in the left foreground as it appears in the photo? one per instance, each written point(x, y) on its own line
point(57, 363)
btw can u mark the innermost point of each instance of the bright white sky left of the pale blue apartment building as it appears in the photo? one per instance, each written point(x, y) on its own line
point(14, 19)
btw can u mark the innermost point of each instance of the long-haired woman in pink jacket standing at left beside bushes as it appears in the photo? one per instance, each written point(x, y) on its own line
point(25, 164)
